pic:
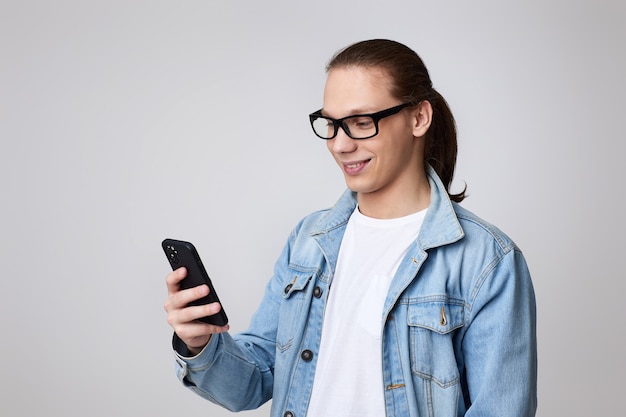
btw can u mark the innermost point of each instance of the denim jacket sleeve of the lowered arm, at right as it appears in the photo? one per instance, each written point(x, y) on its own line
point(499, 345)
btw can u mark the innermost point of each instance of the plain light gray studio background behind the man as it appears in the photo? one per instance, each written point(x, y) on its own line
point(125, 122)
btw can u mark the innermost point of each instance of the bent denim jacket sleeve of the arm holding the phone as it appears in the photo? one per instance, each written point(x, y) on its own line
point(237, 372)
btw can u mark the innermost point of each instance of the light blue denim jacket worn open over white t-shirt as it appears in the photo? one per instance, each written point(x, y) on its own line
point(458, 325)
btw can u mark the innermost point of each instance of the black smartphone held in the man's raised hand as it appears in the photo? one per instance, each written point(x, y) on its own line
point(180, 253)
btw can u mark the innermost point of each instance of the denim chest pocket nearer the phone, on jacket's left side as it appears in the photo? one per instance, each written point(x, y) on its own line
point(294, 306)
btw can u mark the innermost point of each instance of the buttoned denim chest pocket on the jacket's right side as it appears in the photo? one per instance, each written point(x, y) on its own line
point(432, 326)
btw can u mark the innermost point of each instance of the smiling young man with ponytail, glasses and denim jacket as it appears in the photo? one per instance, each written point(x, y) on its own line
point(396, 301)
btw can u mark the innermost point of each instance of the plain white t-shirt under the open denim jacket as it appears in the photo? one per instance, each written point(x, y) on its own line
point(348, 378)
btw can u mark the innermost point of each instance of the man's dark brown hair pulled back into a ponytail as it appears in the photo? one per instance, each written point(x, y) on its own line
point(410, 82)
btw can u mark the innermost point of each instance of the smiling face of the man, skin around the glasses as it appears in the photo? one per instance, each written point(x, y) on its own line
point(387, 162)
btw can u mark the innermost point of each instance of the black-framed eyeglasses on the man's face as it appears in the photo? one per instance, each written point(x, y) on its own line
point(358, 126)
